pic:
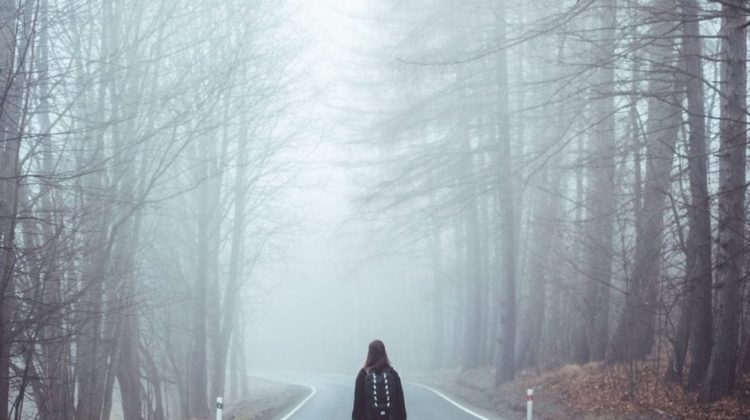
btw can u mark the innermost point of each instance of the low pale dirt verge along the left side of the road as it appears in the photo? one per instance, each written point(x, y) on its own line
point(267, 401)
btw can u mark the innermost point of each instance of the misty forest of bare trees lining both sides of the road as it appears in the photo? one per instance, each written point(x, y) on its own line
point(558, 182)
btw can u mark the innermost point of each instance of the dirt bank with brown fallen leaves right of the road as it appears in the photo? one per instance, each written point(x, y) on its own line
point(590, 392)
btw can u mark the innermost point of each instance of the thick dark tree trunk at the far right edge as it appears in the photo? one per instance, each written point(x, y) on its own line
point(722, 368)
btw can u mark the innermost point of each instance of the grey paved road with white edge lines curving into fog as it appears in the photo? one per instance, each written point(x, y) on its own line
point(331, 398)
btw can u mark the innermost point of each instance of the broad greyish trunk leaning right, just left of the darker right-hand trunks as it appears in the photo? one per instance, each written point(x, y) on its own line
point(635, 332)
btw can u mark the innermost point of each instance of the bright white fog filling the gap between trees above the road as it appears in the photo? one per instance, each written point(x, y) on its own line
point(335, 289)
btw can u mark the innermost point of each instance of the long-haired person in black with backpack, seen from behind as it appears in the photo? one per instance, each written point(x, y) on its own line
point(378, 394)
